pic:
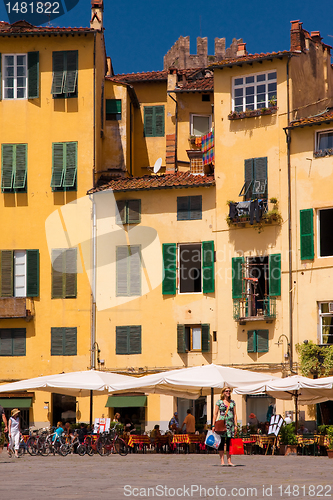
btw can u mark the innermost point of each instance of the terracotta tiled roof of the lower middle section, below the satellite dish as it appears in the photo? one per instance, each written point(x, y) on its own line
point(152, 182)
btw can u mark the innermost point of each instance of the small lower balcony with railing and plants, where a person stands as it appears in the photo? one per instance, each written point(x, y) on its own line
point(243, 314)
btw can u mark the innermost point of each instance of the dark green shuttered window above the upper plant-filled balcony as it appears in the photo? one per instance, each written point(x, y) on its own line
point(255, 179)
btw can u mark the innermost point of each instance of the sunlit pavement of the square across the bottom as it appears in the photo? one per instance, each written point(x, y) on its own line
point(164, 476)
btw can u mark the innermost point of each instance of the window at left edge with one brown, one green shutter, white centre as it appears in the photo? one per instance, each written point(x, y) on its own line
point(19, 273)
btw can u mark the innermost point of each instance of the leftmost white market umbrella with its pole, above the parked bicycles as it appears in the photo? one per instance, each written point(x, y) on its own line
point(82, 383)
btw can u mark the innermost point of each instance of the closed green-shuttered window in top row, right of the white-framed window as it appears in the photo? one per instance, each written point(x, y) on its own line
point(65, 74)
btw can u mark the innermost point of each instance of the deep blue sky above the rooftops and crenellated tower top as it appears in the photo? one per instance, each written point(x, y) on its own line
point(138, 34)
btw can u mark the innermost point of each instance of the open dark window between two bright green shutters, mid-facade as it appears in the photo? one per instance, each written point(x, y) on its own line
point(196, 271)
